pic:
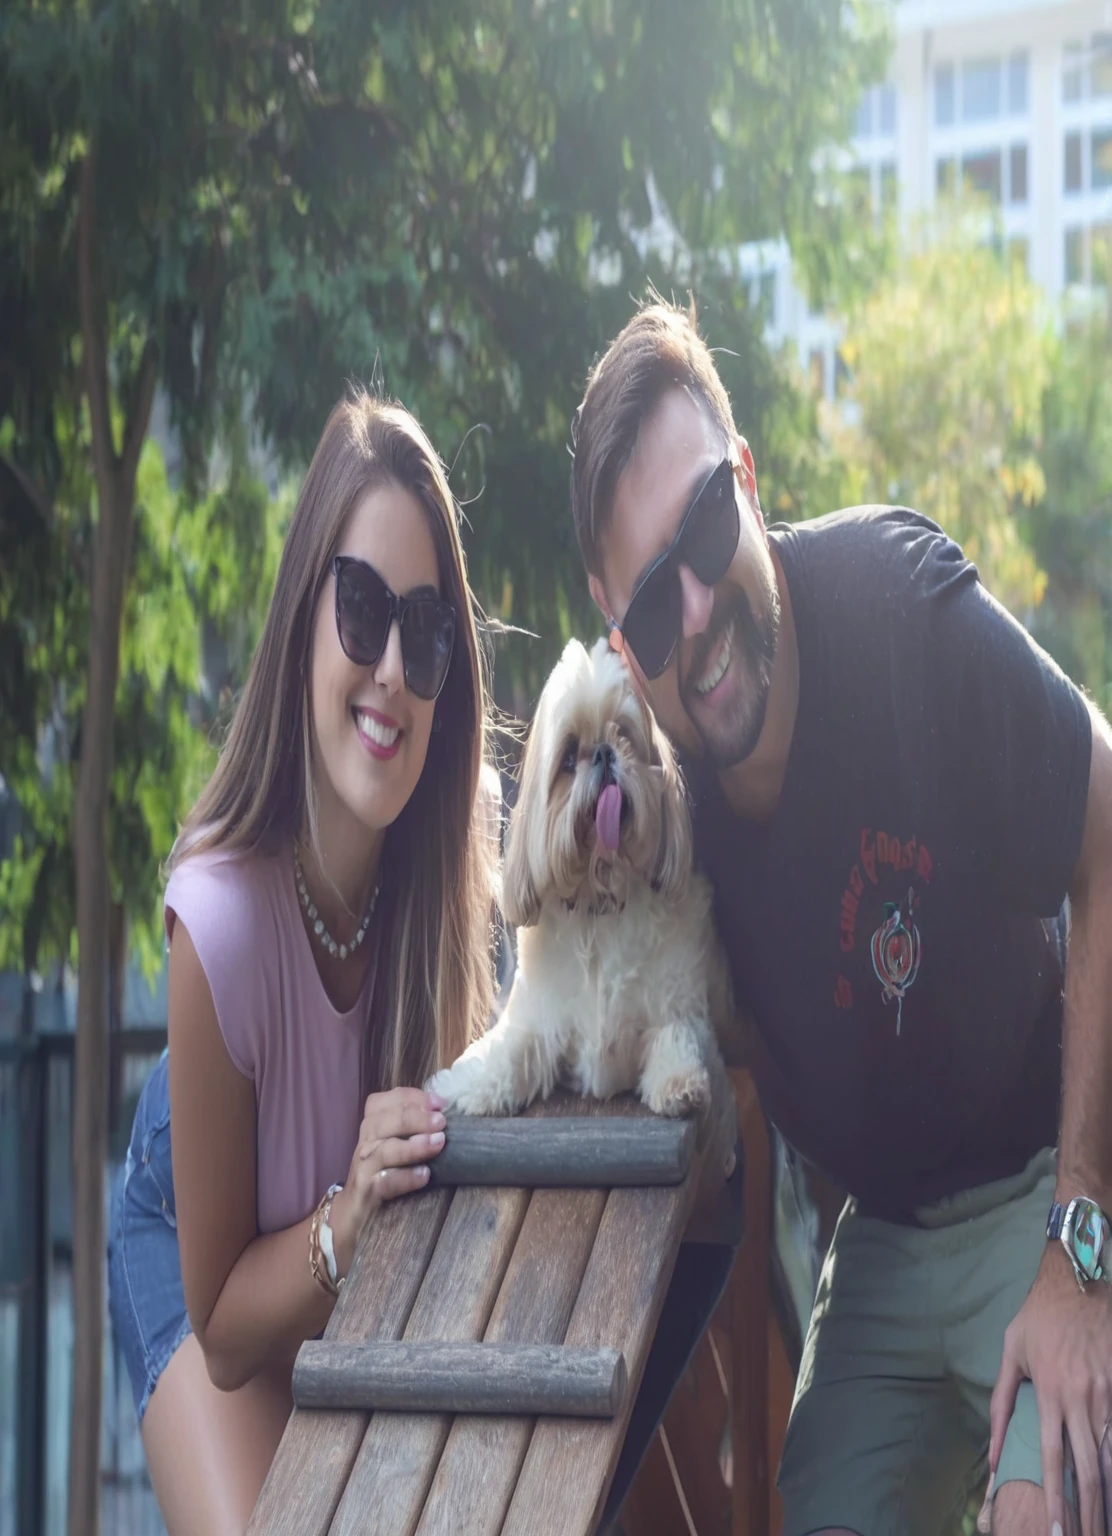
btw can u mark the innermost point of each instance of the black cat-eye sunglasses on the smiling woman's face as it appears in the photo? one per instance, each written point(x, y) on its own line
point(365, 612)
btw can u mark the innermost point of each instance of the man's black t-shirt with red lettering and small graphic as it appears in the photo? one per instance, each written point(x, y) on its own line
point(898, 929)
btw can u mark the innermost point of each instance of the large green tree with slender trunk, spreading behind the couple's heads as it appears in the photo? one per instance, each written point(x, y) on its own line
point(247, 210)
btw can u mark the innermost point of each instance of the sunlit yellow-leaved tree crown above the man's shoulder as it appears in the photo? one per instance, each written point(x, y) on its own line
point(950, 360)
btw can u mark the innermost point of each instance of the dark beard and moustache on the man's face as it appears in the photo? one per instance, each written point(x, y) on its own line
point(733, 735)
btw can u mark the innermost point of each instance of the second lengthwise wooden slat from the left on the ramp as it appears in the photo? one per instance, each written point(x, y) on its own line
point(400, 1452)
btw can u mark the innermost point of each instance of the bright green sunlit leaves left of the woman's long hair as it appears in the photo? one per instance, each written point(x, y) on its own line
point(199, 572)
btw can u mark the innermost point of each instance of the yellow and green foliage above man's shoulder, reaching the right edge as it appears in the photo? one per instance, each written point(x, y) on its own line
point(968, 406)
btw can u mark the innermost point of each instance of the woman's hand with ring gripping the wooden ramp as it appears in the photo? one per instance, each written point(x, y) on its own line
point(400, 1133)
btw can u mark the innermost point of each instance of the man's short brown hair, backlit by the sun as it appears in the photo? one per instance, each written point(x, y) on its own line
point(660, 349)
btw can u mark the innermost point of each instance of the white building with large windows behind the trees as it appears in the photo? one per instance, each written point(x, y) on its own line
point(1005, 98)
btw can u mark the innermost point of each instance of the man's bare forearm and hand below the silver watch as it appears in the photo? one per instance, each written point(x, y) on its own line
point(1062, 1337)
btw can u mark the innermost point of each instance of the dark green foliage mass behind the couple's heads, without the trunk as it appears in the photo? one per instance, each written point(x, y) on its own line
point(452, 197)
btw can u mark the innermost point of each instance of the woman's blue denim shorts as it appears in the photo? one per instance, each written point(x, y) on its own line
point(145, 1293)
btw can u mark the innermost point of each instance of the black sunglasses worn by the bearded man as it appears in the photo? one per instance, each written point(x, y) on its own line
point(707, 543)
